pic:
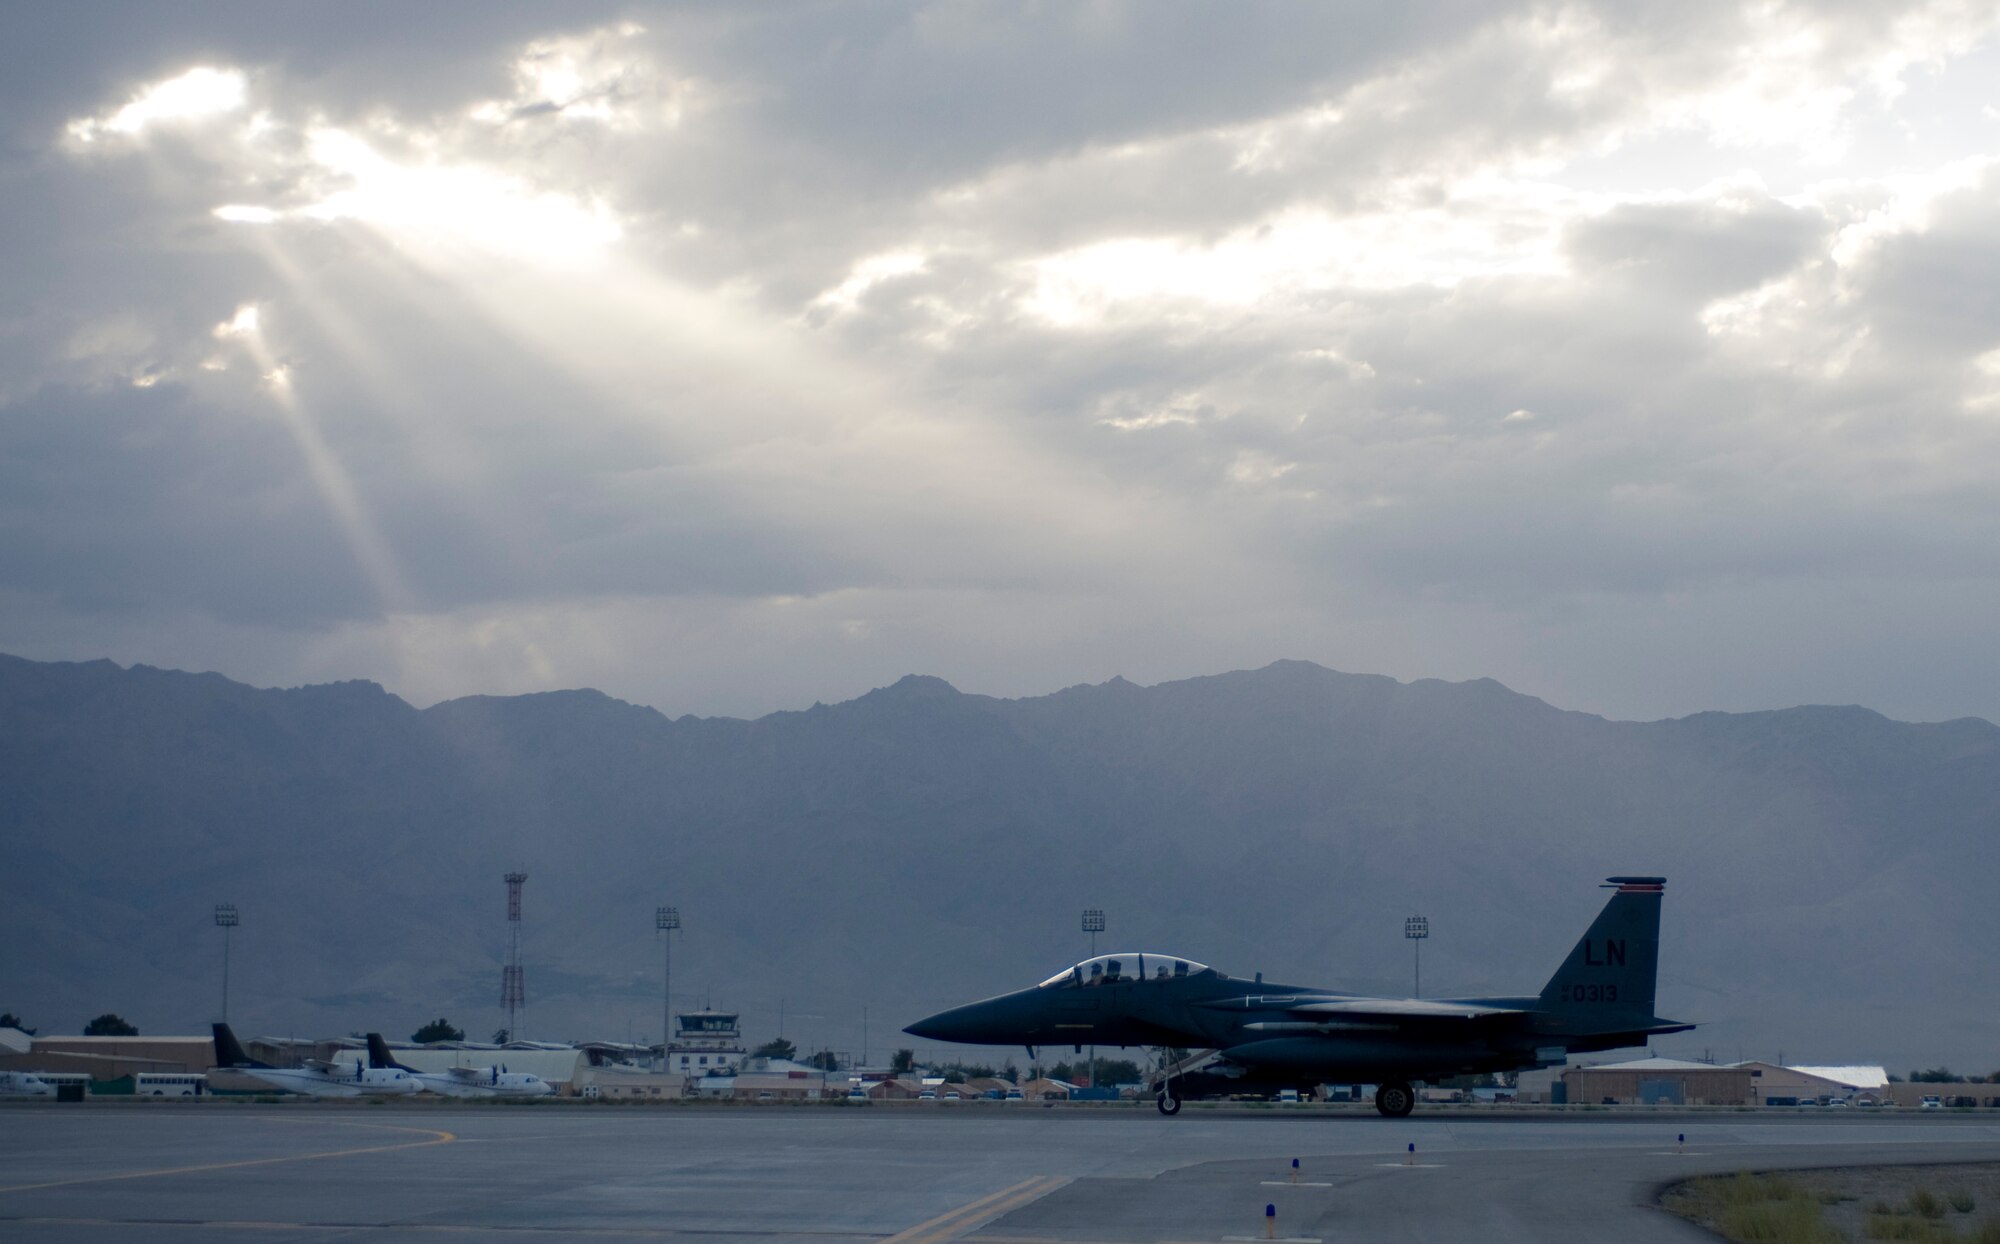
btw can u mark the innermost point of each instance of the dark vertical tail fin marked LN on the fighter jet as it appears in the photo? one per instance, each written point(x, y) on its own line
point(1609, 979)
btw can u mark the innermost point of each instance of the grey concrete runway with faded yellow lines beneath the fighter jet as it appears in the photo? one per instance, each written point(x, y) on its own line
point(919, 1175)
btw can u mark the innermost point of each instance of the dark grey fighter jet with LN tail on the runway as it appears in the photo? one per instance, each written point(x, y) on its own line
point(1253, 1037)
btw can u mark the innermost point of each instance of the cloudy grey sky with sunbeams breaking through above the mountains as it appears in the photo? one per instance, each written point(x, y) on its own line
point(1645, 357)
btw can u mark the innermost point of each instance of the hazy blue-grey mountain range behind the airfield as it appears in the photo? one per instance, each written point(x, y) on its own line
point(1835, 877)
